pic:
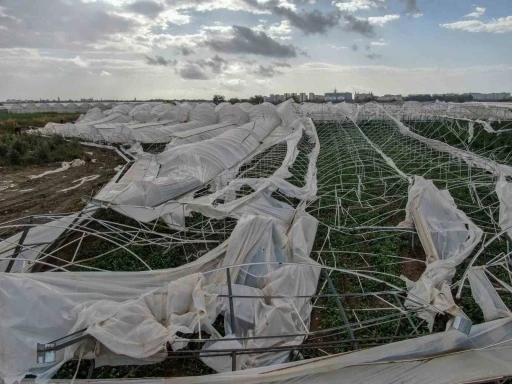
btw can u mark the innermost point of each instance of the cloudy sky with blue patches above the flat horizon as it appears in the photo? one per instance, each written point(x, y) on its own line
point(195, 48)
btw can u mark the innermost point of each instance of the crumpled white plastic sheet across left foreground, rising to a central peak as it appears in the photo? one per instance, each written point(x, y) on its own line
point(120, 309)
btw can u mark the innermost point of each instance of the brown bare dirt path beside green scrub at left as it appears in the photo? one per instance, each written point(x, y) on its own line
point(23, 196)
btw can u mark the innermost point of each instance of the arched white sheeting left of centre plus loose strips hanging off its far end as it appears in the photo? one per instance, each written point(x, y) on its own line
point(181, 169)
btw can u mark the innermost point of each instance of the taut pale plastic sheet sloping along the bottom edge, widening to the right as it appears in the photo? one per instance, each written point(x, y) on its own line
point(441, 358)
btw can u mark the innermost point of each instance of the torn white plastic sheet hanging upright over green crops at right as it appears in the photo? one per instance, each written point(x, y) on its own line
point(448, 237)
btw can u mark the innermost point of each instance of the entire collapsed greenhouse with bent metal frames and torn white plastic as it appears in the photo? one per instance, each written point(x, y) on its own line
point(299, 243)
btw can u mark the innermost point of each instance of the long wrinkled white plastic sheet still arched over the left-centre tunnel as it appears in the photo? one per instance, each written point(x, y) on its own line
point(189, 166)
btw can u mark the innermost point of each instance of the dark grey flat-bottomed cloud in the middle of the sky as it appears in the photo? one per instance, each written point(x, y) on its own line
point(245, 40)
